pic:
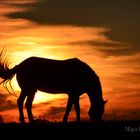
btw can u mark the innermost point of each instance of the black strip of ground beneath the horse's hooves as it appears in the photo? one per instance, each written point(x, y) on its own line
point(71, 129)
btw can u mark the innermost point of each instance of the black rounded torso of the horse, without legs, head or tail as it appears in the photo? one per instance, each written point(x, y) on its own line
point(56, 75)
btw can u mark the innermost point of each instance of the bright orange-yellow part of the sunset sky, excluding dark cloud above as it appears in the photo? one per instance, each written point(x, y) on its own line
point(119, 74)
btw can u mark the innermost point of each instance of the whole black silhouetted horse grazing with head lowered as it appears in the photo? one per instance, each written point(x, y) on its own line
point(72, 76)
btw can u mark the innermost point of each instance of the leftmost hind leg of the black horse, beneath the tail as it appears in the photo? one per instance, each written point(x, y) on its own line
point(20, 102)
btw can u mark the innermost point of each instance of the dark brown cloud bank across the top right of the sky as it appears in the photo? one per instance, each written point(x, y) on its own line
point(121, 16)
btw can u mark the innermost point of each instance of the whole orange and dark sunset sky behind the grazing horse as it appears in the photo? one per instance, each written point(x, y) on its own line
point(104, 34)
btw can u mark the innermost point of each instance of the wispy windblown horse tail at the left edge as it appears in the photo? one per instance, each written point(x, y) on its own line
point(6, 73)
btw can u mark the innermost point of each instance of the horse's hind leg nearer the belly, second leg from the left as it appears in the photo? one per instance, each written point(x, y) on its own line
point(28, 105)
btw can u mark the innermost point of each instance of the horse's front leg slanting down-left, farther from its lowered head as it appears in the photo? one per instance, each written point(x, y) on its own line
point(68, 108)
